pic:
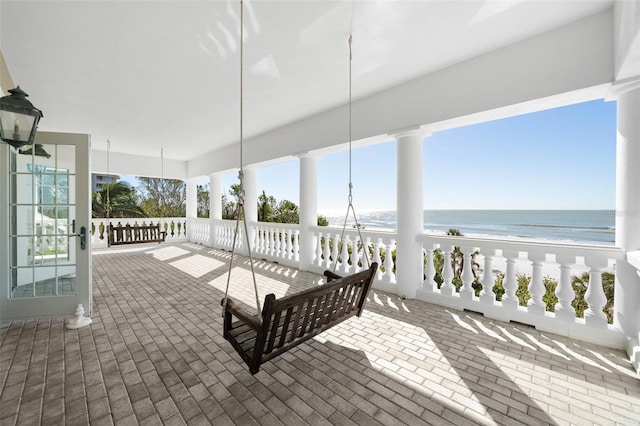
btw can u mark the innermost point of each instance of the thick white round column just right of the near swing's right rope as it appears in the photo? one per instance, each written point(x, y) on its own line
point(410, 211)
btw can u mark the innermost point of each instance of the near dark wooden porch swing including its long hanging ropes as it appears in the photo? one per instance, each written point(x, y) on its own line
point(281, 324)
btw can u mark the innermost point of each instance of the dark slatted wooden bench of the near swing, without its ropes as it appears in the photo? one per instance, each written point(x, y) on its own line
point(291, 320)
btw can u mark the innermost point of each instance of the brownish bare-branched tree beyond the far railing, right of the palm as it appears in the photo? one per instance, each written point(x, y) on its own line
point(162, 197)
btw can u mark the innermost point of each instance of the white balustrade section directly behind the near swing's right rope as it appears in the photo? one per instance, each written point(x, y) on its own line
point(339, 255)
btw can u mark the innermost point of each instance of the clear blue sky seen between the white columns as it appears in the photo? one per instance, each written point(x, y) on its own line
point(558, 159)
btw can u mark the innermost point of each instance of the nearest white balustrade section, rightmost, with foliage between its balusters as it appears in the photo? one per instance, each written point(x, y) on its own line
point(540, 262)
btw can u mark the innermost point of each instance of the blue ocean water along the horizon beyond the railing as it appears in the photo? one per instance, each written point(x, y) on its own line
point(562, 226)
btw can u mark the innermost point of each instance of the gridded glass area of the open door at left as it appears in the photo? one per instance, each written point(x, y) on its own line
point(42, 200)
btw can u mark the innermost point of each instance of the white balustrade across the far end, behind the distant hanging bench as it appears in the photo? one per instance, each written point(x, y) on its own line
point(175, 227)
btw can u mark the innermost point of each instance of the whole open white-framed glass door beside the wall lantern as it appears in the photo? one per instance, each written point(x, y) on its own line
point(49, 271)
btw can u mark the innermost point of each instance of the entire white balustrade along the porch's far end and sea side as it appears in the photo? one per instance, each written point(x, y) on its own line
point(464, 277)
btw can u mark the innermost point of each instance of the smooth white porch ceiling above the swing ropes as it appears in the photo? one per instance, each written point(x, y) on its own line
point(152, 74)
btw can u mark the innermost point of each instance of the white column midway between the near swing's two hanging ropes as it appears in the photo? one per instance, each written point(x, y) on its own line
point(308, 210)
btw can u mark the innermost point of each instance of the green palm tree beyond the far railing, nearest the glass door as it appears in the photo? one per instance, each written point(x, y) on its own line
point(121, 202)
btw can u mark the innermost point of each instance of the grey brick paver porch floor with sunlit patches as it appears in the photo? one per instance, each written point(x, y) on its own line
point(154, 354)
